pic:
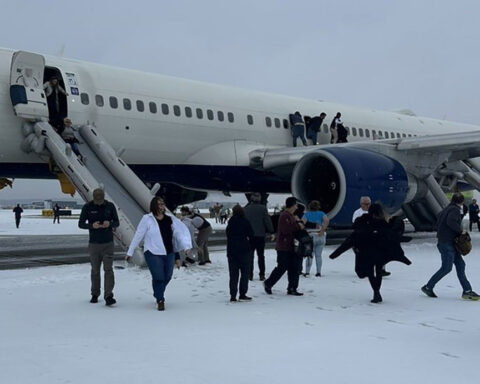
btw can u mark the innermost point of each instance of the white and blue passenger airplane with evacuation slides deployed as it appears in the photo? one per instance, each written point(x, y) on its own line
point(192, 137)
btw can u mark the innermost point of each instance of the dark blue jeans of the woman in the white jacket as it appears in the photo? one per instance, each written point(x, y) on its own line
point(161, 268)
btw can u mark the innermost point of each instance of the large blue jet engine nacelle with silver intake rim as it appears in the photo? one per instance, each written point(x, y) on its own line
point(339, 177)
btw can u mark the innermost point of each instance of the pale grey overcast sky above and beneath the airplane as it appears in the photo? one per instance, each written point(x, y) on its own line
point(421, 55)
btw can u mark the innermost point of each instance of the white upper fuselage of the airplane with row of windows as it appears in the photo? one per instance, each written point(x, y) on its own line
point(176, 139)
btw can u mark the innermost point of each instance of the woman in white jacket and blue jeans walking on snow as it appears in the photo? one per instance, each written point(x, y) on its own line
point(164, 235)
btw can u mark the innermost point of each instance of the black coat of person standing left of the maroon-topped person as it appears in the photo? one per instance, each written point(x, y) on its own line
point(239, 238)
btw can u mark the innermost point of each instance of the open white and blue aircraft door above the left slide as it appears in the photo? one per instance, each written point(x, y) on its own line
point(26, 85)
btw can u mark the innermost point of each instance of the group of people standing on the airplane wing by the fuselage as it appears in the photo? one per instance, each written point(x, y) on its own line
point(311, 126)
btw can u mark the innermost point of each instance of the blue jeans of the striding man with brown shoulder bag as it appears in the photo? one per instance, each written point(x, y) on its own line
point(450, 256)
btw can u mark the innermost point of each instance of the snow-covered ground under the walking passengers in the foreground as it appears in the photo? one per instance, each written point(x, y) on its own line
point(50, 333)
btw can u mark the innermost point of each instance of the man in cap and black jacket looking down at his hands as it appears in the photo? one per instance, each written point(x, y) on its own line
point(100, 218)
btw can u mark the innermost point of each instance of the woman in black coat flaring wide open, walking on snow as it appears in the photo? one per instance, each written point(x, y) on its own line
point(376, 242)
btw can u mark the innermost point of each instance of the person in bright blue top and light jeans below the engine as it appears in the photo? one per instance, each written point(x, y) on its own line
point(315, 215)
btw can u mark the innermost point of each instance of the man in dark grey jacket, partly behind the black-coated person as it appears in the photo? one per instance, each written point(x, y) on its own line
point(257, 214)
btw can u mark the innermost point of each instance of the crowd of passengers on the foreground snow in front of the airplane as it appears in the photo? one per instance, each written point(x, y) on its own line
point(299, 236)
